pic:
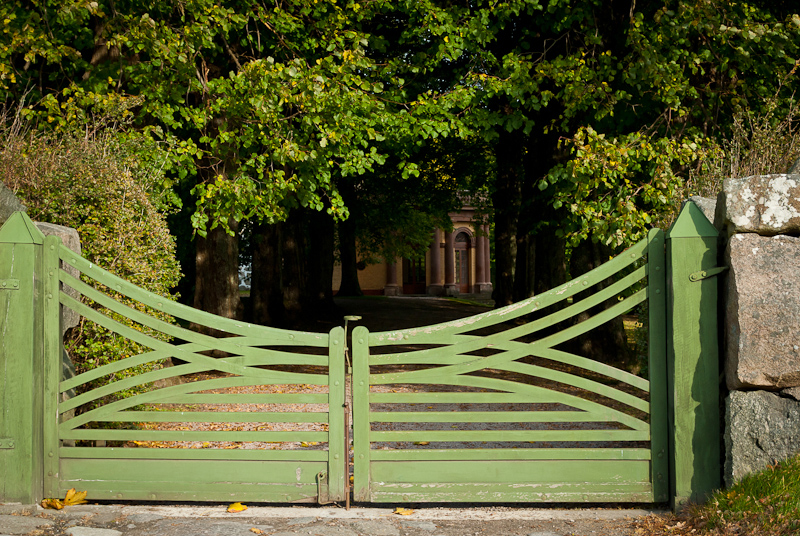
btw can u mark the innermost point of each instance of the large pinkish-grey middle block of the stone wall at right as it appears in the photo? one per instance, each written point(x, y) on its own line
point(762, 312)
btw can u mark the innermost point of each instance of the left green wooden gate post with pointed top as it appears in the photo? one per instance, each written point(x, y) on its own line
point(21, 361)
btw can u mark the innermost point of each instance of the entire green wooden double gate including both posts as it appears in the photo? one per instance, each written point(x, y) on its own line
point(495, 407)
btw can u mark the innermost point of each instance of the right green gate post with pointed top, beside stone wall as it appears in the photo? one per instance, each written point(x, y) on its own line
point(693, 357)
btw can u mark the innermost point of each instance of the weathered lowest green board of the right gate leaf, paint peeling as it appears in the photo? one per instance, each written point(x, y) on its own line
point(505, 493)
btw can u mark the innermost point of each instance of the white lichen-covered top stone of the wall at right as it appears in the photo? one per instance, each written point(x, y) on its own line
point(764, 204)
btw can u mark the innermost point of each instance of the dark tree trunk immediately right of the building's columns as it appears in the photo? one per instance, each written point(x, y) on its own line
point(506, 202)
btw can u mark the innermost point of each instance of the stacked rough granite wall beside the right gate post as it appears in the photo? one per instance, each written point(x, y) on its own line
point(760, 220)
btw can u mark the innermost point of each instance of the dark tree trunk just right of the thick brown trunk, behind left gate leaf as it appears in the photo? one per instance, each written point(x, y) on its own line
point(266, 290)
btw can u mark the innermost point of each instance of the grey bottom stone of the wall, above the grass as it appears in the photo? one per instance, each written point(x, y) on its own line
point(760, 428)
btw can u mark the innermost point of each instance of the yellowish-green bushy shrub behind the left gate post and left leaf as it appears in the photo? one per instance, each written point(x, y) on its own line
point(97, 184)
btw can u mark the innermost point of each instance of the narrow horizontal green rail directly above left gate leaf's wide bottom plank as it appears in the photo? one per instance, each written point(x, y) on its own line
point(120, 453)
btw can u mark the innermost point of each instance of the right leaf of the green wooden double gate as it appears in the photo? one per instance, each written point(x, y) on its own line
point(507, 416)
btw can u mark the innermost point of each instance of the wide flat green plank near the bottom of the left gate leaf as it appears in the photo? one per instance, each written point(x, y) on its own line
point(183, 474)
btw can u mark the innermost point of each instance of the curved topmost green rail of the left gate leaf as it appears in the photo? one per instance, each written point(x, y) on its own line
point(279, 336)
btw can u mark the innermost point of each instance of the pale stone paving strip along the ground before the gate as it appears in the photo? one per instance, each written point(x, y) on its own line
point(214, 520)
